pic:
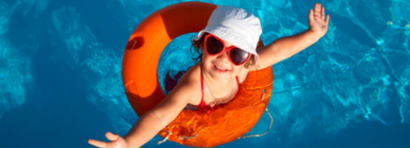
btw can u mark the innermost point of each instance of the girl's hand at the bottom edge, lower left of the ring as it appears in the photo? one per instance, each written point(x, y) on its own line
point(116, 141)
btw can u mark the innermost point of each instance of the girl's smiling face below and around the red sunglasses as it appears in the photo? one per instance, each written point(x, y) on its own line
point(218, 66)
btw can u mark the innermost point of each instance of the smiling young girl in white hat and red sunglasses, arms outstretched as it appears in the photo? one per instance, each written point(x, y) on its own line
point(228, 44)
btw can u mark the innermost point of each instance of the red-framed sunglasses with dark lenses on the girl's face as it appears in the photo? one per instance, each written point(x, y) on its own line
point(214, 46)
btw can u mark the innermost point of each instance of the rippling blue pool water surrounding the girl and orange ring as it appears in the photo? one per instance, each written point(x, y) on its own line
point(60, 73)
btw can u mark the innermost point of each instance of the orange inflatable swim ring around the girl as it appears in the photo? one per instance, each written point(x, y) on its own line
point(191, 128)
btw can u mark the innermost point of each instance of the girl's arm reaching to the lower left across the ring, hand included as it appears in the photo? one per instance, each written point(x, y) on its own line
point(153, 121)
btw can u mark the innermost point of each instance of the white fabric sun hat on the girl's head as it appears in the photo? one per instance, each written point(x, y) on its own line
point(236, 26)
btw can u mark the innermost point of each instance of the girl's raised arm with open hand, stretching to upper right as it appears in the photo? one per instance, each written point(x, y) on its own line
point(286, 47)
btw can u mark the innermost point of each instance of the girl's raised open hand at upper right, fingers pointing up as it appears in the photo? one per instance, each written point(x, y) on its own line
point(317, 22)
